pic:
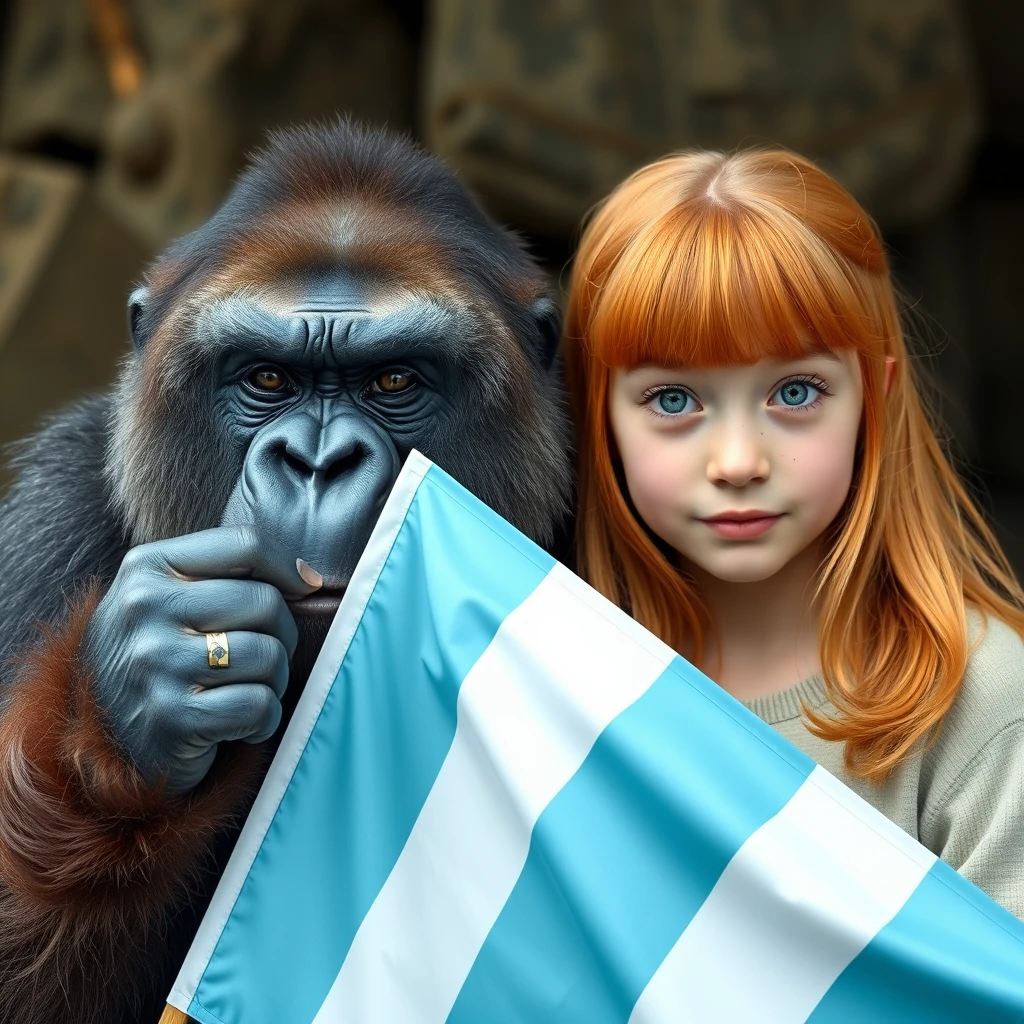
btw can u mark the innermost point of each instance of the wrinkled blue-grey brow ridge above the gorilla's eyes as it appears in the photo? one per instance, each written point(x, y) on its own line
point(323, 331)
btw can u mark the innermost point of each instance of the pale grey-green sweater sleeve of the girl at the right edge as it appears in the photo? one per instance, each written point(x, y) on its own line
point(976, 824)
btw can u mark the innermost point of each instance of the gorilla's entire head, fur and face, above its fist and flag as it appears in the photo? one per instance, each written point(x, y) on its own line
point(350, 303)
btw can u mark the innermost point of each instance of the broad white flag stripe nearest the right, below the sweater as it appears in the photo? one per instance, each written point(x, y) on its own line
point(799, 901)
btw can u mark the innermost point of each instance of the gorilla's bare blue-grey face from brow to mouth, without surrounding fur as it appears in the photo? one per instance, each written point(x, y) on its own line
point(324, 388)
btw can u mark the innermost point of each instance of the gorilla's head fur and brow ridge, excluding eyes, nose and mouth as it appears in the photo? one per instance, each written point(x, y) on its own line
point(318, 204)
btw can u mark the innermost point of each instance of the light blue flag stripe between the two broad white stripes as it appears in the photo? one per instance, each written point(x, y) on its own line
point(626, 855)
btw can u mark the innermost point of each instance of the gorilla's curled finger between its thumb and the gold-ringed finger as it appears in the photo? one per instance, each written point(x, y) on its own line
point(223, 606)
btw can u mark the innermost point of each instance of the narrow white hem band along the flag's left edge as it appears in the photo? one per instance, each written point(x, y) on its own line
point(308, 710)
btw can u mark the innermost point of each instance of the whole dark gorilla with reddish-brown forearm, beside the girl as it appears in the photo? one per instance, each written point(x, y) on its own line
point(349, 303)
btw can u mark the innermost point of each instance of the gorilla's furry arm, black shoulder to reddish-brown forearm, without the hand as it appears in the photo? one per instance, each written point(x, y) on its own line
point(91, 860)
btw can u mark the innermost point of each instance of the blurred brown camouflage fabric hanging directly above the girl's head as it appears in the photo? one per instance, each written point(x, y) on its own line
point(546, 105)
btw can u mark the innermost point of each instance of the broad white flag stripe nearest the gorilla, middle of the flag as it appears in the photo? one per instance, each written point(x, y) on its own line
point(557, 673)
